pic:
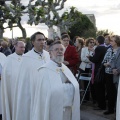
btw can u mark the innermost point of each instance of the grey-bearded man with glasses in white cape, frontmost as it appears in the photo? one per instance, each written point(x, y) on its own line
point(57, 90)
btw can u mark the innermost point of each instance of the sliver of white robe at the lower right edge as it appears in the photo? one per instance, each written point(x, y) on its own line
point(118, 103)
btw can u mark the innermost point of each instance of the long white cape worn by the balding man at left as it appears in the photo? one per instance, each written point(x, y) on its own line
point(9, 79)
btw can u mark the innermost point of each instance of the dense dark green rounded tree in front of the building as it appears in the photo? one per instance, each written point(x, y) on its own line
point(82, 25)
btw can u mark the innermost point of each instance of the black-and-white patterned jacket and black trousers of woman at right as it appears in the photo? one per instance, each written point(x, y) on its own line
point(110, 88)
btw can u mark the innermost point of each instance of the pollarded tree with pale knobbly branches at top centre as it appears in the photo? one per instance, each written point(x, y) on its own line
point(45, 11)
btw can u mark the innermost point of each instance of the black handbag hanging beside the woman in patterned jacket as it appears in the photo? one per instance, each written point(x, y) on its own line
point(99, 78)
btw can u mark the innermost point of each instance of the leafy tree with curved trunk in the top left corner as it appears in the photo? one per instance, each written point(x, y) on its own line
point(12, 14)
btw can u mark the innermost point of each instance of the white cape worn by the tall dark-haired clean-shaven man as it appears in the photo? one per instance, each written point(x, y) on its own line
point(30, 61)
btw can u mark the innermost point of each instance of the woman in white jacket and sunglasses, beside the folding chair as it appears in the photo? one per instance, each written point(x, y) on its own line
point(86, 65)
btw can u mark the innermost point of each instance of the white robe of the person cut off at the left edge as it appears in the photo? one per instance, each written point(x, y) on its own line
point(2, 62)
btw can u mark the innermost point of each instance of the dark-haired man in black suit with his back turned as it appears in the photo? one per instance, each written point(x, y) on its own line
point(97, 59)
